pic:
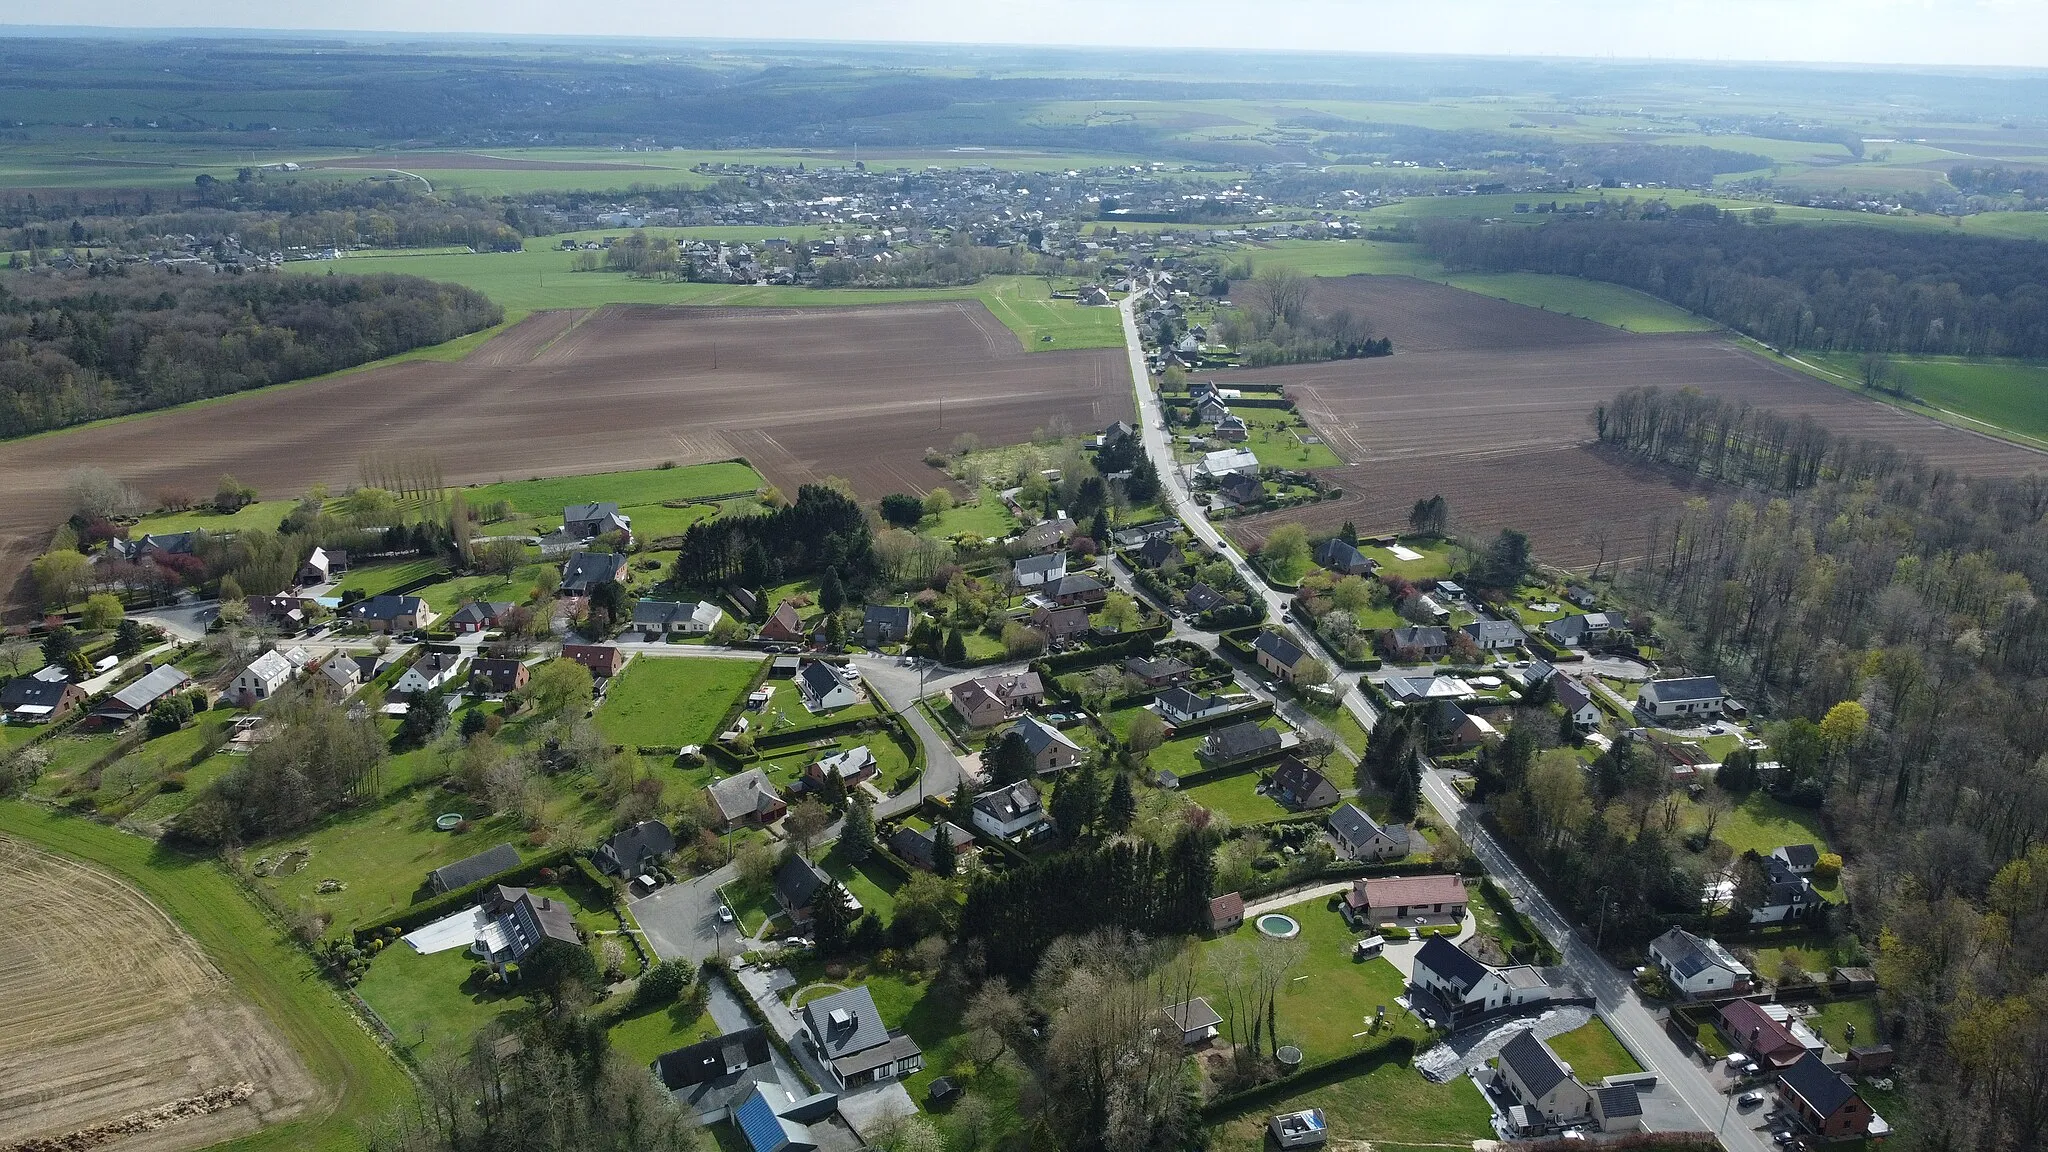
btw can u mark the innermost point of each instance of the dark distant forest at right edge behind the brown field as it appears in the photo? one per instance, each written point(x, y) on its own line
point(1824, 288)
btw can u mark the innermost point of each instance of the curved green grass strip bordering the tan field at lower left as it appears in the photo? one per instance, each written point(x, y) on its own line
point(359, 1079)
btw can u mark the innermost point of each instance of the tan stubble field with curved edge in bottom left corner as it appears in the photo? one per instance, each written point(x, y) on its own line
point(112, 1010)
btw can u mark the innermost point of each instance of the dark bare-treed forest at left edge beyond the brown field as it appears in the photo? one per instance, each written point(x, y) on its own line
point(112, 339)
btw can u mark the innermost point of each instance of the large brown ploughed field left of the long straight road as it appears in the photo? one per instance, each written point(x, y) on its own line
point(853, 393)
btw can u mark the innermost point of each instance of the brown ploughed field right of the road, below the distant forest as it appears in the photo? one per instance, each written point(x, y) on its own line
point(1488, 403)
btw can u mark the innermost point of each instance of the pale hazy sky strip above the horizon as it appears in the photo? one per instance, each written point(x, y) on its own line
point(1852, 32)
